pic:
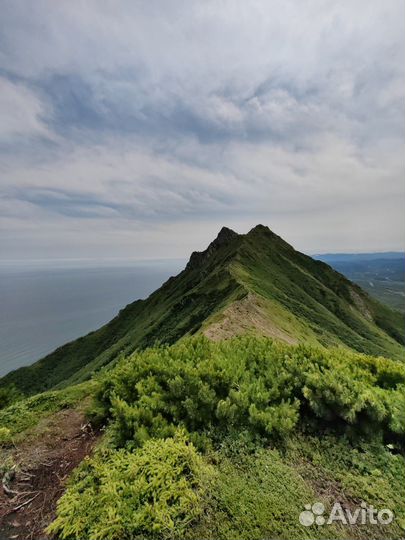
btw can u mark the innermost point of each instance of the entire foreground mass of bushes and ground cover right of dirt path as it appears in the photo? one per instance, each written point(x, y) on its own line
point(248, 455)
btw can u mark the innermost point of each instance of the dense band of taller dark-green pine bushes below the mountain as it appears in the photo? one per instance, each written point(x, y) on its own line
point(253, 384)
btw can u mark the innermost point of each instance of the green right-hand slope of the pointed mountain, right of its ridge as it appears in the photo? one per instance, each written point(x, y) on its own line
point(329, 305)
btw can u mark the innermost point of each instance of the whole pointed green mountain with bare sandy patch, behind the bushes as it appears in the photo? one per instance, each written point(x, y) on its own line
point(240, 283)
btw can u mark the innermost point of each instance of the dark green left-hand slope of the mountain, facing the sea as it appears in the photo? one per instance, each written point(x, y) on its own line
point(178, 307)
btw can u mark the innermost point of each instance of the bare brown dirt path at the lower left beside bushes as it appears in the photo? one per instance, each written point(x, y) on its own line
point(42, 464)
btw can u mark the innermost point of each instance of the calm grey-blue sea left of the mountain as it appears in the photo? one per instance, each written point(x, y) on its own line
point(43, 308)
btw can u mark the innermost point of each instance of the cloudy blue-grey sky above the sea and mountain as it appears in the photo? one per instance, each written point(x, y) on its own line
point(138, 129)
